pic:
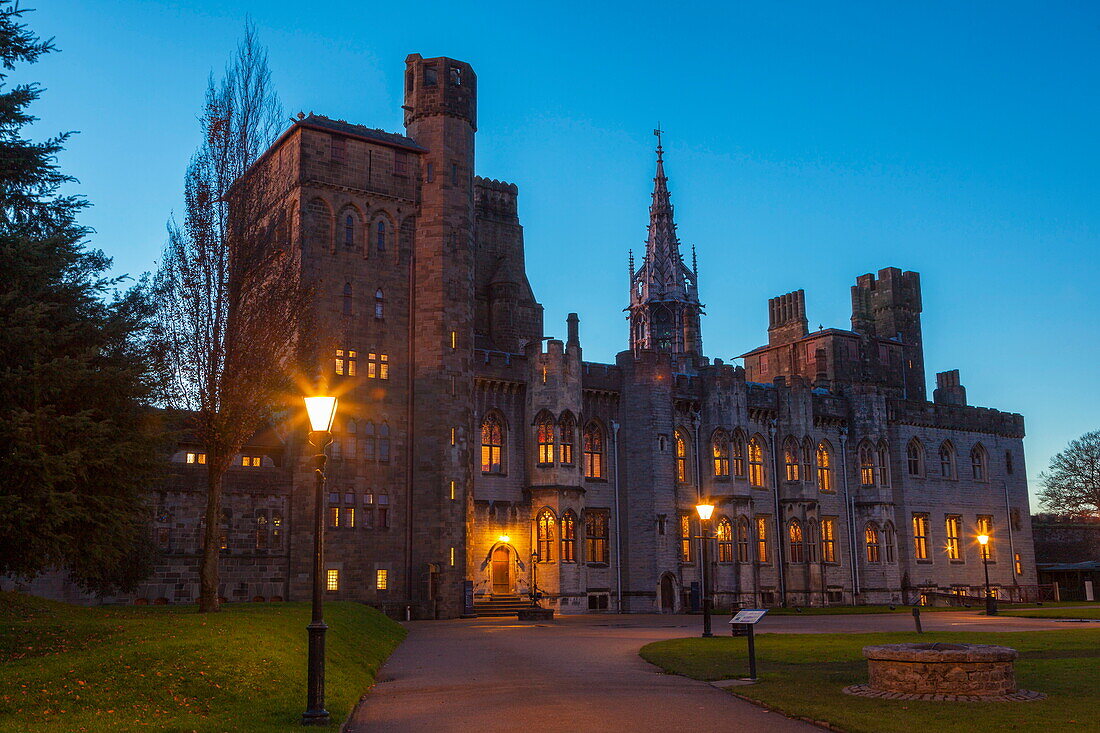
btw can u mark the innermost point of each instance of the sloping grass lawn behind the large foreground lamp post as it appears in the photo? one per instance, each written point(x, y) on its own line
point(170, 669)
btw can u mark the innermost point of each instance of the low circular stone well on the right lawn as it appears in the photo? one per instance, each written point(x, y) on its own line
point(942, 670)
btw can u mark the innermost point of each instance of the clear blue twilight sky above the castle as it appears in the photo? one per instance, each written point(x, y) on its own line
point(808, 144)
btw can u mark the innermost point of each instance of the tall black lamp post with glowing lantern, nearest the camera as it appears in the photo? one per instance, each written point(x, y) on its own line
point(322, 410)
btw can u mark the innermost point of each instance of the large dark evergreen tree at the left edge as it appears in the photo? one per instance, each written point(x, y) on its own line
point(78, 439)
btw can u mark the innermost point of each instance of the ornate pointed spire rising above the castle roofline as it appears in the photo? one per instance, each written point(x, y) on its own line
point(665, 309)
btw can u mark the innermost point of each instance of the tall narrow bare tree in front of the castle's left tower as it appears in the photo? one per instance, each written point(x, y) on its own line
point(229, 285)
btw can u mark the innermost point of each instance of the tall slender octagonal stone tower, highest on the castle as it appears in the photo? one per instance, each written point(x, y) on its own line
point(441, 116)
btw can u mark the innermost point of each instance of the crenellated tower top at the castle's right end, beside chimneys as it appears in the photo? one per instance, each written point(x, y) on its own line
point(890, 308)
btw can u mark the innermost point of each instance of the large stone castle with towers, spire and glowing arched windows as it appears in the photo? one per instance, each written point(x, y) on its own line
point(471, 454)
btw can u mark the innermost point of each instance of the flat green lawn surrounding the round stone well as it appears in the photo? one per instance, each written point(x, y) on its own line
point(802, 675)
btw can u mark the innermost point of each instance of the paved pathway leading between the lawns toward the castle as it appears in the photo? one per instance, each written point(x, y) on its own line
point(585, 673)
